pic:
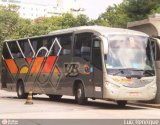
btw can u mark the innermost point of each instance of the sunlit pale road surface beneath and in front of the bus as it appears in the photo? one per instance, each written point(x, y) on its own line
point(44, 108)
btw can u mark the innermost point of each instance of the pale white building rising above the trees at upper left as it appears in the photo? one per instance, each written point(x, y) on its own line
point(34, 10)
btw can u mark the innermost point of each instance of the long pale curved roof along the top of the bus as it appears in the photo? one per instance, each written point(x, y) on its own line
point(98, 29)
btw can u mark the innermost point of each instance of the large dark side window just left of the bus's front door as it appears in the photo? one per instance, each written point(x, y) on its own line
point(83, 45)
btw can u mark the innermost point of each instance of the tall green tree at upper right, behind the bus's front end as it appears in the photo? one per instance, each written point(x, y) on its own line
point(128, 10)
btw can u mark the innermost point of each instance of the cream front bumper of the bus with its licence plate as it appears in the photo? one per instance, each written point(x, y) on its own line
point(115, 92)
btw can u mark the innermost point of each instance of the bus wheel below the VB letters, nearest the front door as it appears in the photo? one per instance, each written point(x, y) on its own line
point(80, 95)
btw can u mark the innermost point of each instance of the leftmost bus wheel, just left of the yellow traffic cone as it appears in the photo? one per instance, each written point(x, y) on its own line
point(20, 90)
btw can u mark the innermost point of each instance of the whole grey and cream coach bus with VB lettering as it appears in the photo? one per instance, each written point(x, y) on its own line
point(86, 62)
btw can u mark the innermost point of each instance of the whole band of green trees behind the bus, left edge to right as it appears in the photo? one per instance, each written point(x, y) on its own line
point(13, 27)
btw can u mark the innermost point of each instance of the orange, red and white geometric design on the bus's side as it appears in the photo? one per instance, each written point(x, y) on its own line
point(37, 65)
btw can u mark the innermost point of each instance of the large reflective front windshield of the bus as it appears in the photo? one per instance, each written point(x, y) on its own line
point(129, 52)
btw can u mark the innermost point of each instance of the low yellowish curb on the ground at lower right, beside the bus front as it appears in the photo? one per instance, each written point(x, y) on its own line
point(145, 104)
